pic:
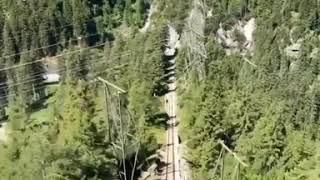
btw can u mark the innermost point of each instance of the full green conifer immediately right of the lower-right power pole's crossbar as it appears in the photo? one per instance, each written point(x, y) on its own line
point(264, 146)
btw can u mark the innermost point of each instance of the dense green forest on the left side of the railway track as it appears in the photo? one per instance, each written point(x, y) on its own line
point(65, 131)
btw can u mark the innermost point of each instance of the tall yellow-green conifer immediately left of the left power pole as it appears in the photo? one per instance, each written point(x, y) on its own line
point(84, 151)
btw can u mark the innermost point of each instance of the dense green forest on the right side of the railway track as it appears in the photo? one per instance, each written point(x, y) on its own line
point(267, 111)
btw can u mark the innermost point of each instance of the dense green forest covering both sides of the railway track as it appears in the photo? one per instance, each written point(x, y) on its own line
point(263, 103)
